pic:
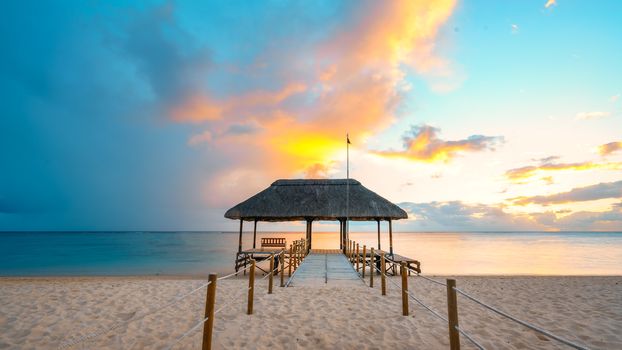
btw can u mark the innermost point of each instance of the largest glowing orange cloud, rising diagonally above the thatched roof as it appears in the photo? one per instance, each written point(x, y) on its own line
point(354, 83)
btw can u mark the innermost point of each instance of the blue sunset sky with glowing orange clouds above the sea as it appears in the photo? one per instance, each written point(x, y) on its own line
point(161, 115)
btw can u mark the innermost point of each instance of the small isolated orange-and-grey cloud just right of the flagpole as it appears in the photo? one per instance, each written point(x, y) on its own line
point(423, 144)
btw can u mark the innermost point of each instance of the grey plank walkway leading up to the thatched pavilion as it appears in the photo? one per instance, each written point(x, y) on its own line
point(325, 268)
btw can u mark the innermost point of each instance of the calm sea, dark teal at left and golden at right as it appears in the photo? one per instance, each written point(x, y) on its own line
point(198, 253)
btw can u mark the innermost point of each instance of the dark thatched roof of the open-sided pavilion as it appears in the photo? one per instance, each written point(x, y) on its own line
point(292, 200)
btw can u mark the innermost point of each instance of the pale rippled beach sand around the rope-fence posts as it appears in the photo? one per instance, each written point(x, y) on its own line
point(48, 312)
